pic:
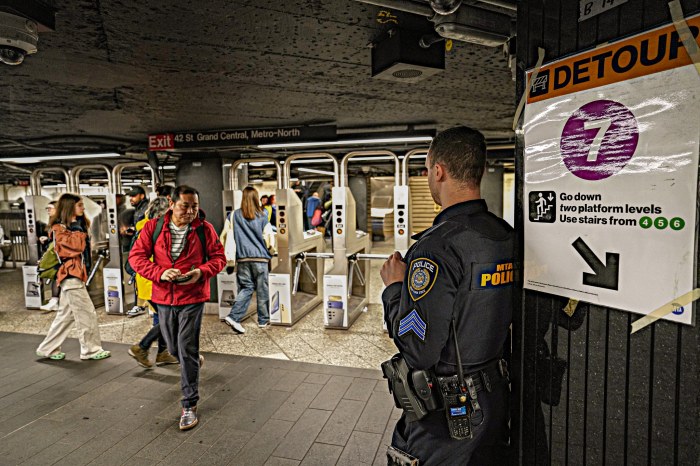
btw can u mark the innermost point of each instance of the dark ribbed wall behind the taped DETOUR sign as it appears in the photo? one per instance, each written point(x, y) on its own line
point(586, 391)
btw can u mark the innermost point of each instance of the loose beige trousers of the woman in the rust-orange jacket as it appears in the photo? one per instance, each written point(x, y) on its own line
point(76, 306)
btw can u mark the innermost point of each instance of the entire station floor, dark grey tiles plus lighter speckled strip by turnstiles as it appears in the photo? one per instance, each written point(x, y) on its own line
point(278, 396)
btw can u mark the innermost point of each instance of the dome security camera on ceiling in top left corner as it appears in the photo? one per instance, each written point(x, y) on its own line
point(18, 38)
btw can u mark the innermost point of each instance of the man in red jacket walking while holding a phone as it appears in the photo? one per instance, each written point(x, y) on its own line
point(180, 273)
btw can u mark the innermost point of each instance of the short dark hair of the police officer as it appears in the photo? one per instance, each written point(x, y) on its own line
point(462, 151)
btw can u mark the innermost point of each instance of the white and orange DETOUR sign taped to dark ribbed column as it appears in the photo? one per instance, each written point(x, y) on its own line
point(610, 173)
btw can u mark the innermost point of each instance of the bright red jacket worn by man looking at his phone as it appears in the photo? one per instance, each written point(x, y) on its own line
point(192, 256)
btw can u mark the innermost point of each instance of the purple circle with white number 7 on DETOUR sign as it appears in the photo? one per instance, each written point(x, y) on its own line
point(599, 139)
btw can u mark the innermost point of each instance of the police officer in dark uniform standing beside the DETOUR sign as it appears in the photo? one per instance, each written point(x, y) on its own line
point(461, 268)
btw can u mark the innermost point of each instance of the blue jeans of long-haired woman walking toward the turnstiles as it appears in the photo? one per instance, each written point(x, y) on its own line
point(251, 277)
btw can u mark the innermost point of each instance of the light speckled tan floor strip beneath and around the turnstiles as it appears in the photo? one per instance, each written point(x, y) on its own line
point(364, 345)
